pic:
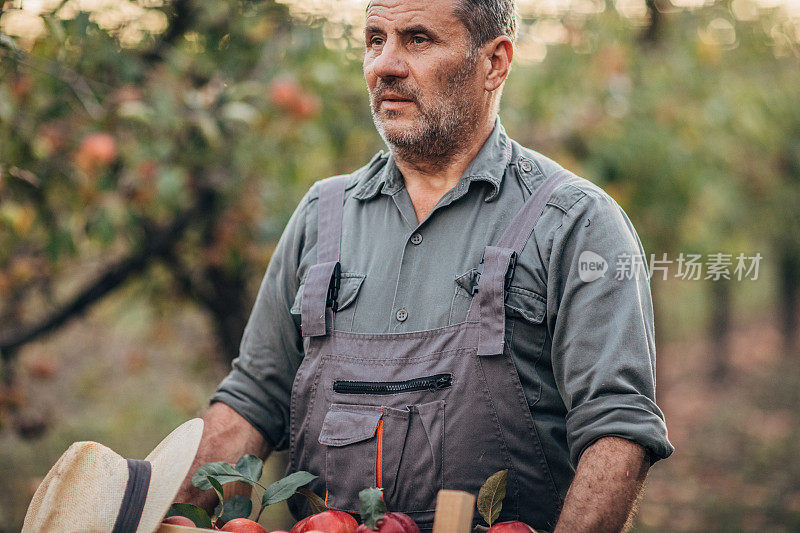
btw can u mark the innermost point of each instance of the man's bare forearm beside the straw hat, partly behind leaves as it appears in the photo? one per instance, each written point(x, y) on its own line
point(226, 437)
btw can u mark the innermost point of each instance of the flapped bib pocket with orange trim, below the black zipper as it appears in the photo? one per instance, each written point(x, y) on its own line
point(399, 450)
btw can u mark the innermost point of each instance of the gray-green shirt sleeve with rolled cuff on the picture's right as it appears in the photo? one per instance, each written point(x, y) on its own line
point(603, 350)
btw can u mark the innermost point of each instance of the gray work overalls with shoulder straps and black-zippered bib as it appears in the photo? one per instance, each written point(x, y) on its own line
point(413, 413)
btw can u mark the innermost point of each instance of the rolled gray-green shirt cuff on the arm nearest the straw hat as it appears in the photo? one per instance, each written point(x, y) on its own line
point(242, 393)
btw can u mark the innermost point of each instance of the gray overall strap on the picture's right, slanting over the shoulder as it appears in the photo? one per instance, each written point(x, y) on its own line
point(498, 265)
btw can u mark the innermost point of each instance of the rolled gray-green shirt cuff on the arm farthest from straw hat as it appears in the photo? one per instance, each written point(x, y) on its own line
point(629, 416)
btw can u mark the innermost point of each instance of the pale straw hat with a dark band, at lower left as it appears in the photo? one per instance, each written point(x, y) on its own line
point(85, 489)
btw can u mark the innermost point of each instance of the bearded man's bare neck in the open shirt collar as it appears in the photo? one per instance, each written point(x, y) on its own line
point(428, 181)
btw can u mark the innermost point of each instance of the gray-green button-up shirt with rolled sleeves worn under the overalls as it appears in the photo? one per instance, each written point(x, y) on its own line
point(583, 347)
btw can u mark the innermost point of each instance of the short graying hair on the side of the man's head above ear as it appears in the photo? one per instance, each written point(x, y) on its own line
point(487, 19)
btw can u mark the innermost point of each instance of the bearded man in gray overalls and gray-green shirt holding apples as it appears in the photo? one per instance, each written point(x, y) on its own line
point(434, 317)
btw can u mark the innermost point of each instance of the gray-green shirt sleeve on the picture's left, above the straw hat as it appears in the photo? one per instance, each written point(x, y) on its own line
point(259, 385)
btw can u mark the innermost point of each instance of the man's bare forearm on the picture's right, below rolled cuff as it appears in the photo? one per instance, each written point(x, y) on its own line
point(607, 485)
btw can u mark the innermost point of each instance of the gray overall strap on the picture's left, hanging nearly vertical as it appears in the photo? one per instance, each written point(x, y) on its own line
point(322, 280)
